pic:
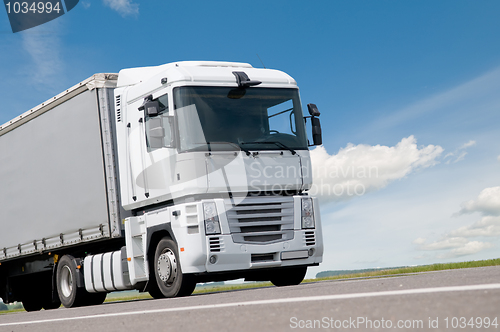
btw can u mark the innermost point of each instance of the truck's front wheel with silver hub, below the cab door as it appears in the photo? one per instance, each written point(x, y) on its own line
point(170, 280)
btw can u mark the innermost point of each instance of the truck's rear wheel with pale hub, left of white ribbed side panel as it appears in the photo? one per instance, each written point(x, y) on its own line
point(69, 294)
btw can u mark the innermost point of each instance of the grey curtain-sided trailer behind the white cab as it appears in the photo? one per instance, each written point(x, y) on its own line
point(58, 187)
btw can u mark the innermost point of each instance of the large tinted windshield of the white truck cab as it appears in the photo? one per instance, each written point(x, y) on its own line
point(219, 118)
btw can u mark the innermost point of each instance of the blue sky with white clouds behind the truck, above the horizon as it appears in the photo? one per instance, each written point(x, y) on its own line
point(409, 87)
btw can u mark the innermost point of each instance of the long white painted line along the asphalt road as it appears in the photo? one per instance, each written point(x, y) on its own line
point(273, 301)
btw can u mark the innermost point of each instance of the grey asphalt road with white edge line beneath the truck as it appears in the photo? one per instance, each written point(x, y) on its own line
point(437, 301)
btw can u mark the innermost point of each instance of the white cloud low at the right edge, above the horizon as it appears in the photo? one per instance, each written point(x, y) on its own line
point(488, 204)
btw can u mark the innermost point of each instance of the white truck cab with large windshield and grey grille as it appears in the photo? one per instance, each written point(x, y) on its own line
point(222, 149)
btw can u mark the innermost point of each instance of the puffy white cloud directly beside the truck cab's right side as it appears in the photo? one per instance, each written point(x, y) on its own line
point(358, 169)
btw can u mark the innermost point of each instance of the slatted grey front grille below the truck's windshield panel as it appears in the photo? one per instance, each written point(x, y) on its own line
point(261, 220)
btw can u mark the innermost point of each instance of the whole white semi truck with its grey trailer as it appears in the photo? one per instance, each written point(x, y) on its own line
point(155, 179)
